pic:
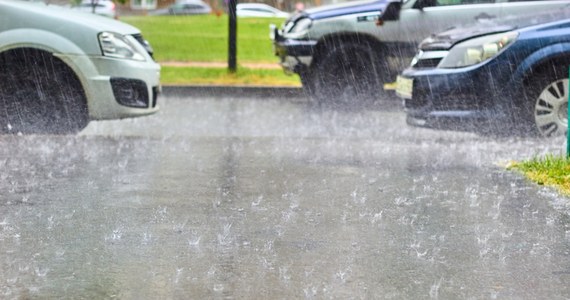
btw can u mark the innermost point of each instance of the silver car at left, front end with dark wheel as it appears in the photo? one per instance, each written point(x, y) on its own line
point(62, 69)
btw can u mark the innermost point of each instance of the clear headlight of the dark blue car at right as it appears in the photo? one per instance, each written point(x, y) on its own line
point(477, 50)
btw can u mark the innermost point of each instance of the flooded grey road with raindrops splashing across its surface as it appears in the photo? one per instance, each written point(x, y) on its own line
point(275, 199)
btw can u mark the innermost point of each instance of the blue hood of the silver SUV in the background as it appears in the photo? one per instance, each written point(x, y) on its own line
point(336, 10)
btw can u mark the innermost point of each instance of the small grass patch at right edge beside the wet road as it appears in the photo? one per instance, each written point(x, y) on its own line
point(550, 170)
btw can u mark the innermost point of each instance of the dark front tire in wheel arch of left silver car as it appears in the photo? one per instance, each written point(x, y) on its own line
point(40, 94)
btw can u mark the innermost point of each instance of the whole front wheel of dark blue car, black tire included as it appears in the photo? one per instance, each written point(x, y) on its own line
point(545, 107)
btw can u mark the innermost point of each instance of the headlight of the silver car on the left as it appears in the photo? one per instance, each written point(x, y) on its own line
point(119, 46)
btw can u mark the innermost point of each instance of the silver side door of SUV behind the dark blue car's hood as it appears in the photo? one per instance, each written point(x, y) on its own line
point(425, 17)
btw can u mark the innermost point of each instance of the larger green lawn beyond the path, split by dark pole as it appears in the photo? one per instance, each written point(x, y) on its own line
point(205, 37)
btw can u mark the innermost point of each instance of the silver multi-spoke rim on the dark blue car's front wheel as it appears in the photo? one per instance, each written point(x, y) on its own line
point(551, 109)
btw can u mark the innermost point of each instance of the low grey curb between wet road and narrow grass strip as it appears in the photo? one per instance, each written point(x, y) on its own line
point(233, 91)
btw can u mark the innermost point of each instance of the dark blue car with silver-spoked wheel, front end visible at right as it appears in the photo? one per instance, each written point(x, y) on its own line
point(492, 78)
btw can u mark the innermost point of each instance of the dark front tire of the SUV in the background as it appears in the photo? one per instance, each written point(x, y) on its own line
point(350, 74)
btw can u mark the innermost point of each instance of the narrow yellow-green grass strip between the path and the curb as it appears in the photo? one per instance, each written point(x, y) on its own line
point(221, 76)
